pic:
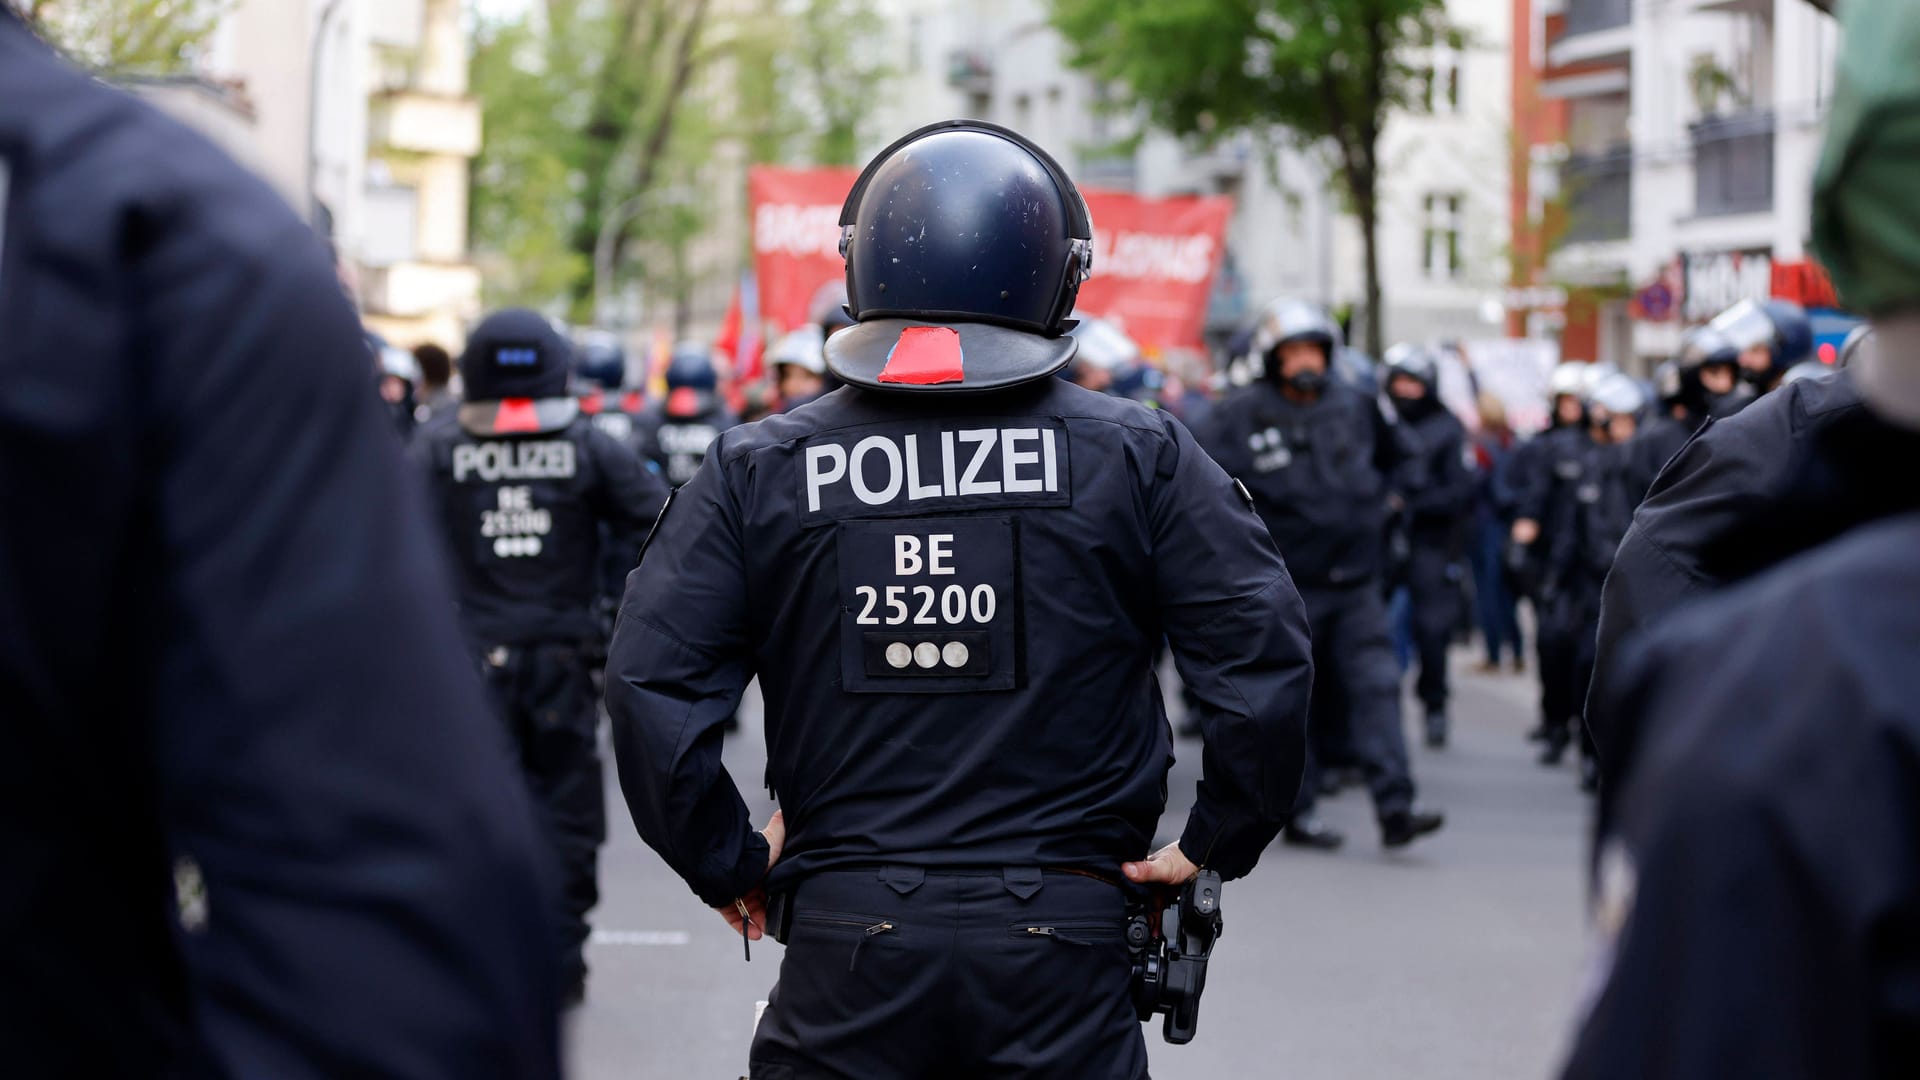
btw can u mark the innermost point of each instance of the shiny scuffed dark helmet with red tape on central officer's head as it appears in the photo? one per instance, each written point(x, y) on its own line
point(967, 247)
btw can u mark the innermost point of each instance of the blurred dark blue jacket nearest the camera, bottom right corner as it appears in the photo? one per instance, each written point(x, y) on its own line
point(1762, 883)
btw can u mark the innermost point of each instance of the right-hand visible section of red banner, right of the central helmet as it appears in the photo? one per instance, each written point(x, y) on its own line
point(1153, 264)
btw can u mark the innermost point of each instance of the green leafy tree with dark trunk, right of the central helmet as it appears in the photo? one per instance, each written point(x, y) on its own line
point(1328, 74)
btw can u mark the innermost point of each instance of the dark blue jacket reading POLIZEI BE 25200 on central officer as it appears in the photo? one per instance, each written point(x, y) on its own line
point(953, 606)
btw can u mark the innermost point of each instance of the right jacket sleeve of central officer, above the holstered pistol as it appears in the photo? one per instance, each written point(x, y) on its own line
point(1239, 639)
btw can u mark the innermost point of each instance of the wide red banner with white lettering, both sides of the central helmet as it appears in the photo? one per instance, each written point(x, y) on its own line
point(1153, 270)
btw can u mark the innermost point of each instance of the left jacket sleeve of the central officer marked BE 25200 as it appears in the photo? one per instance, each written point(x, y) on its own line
point(677, 668)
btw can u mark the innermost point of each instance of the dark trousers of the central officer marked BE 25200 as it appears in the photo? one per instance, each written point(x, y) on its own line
point(900, 973)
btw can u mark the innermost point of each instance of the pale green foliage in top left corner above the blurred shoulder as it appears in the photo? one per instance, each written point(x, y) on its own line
point(128, 37)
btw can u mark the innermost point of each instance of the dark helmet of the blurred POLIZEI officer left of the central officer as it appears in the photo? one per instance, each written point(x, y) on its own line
point(516, 370)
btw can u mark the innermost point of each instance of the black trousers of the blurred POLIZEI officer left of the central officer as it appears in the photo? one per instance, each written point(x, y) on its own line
point(544, 697)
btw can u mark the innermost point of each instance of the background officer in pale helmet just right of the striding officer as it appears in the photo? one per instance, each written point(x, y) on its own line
point(1437, 487)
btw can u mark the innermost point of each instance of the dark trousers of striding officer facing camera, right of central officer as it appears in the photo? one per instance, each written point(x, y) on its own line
point(1355, 666)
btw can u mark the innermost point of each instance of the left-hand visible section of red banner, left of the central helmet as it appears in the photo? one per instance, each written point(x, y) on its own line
point(796, 237)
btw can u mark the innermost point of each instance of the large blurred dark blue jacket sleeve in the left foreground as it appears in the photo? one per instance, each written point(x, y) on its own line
point(327, 770)
